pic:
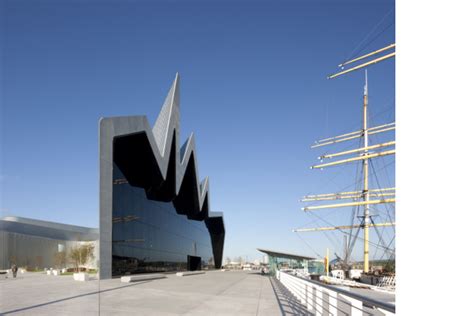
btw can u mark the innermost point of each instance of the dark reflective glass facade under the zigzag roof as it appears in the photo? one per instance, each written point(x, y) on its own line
point(150, 236)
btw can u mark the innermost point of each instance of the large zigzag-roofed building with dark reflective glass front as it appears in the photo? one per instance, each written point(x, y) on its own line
point(154, 213)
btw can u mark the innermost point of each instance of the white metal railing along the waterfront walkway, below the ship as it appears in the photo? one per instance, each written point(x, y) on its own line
point(323, 299)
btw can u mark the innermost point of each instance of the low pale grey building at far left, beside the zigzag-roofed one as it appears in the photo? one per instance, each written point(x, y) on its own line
point(33, 243)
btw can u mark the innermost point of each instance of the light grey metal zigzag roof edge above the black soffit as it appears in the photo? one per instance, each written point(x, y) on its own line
point(160, 138)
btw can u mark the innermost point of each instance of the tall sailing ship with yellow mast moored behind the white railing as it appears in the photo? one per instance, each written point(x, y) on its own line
point(369, 203)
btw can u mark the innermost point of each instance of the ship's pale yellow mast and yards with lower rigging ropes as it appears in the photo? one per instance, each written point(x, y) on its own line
point(365, 197)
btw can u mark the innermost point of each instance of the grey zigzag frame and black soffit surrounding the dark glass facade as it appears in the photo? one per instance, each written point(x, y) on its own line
point(160, 139)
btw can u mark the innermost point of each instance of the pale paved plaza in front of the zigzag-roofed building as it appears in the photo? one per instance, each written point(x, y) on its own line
point(212, 293)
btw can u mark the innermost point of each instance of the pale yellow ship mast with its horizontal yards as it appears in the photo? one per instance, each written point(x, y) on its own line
point(383, 195)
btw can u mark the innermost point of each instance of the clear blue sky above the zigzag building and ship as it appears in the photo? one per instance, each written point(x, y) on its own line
point(253, 89)
